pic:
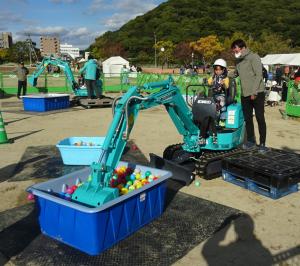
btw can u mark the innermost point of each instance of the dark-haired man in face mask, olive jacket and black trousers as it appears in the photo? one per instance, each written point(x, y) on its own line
point(249, 68)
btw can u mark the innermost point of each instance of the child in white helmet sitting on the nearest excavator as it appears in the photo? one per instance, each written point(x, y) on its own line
point(219, 83)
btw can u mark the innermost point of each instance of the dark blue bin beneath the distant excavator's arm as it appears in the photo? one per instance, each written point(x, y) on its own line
point(45, 102)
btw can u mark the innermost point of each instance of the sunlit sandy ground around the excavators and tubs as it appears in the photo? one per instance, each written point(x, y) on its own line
point(274, 223)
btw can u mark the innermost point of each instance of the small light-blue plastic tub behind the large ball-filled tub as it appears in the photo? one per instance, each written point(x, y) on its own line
point(83, 154)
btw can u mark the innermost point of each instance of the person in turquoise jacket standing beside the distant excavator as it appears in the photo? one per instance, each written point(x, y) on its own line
point(90, 70)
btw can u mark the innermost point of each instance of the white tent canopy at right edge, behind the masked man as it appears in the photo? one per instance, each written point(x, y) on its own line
point(281, 59)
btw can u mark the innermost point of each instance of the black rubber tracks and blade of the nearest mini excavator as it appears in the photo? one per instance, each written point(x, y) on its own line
point(185, 166)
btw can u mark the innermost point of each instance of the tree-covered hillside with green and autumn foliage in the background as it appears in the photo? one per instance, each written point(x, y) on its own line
point(267, 26)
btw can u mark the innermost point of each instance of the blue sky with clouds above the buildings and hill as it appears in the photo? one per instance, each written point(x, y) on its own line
point(76, 22)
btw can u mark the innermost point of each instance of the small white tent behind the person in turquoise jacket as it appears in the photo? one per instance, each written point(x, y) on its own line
point(113, 65)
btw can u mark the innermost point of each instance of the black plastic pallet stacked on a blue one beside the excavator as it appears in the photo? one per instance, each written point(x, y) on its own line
point(274, 173)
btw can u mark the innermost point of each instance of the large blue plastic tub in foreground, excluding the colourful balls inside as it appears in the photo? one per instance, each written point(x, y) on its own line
point(93, 230)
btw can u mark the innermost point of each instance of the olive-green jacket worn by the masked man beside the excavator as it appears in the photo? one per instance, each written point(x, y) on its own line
point(249, 68)
